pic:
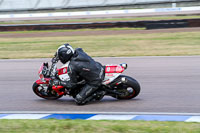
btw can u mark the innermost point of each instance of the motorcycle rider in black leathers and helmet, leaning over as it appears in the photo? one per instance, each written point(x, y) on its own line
point(80, 64)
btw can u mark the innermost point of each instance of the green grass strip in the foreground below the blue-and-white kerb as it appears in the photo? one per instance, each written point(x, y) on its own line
point(90, 126)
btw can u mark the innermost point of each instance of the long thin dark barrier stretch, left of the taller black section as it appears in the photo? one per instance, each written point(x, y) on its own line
point(69, 26)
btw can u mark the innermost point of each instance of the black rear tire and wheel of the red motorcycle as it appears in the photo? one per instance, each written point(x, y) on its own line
point(130, 83)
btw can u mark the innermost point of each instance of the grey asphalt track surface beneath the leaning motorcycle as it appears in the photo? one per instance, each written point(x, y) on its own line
point(168, 84)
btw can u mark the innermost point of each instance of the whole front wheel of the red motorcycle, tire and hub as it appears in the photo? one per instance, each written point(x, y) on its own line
point(41, 91)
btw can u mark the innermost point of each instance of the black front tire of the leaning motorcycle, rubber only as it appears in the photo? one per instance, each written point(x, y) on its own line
point(42, 95)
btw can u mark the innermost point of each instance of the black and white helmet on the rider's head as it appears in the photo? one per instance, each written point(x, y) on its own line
point(65, 53)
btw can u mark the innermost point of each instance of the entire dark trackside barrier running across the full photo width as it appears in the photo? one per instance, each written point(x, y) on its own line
point(133, 24)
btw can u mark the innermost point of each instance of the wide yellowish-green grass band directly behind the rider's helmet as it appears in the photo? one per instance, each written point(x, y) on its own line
point(157, 44)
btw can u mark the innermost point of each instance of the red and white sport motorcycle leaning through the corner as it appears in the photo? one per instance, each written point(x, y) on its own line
point(114, 84)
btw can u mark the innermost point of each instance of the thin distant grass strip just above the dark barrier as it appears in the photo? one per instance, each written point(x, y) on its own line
point(102, 19)
